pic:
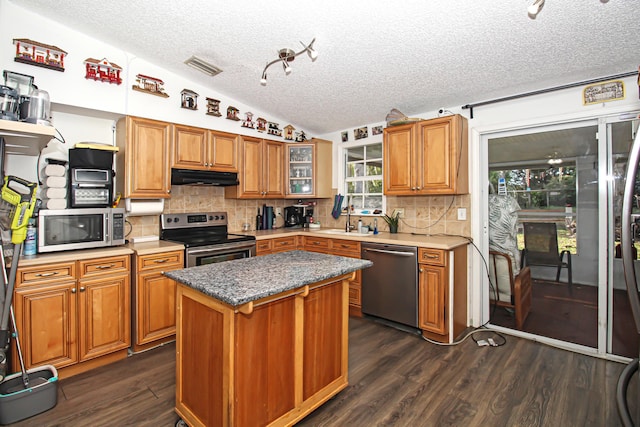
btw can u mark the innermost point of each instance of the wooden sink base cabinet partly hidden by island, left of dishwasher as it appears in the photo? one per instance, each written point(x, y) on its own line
point(348, 248)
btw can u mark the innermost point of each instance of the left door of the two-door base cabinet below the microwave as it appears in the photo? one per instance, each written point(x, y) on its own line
point(46, 321)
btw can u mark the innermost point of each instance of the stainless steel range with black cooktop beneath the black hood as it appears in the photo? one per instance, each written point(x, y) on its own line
point(206, 238)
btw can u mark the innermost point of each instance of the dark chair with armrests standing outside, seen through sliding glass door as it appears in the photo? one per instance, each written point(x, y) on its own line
point(541, 248)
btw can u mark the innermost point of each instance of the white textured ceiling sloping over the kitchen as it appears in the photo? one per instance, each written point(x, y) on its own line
point(413, 55)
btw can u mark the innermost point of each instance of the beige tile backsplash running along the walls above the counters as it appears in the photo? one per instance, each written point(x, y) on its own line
point(423, 214)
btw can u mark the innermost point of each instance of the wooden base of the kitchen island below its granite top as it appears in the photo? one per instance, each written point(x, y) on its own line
point(268, 364)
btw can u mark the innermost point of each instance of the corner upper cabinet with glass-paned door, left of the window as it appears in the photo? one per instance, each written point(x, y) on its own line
point(308, 169)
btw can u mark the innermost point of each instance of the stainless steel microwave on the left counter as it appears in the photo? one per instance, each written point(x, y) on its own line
point(85, 228)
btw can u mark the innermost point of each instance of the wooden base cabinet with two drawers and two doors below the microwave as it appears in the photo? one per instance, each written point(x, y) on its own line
point(73, 315)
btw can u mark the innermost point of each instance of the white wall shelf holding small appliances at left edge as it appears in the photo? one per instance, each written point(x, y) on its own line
point(25, 138)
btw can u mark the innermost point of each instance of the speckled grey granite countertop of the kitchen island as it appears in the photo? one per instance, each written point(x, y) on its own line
point(249, 279)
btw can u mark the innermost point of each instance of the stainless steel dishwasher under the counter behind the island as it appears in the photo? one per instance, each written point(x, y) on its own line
point(390, 286)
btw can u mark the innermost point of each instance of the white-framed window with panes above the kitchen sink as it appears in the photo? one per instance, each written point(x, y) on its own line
point(363, 177)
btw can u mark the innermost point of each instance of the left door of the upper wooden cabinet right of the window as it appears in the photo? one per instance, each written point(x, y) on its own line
point(399, 160)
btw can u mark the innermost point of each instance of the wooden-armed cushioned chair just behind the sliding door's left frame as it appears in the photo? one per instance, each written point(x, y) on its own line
point(510, 291)
